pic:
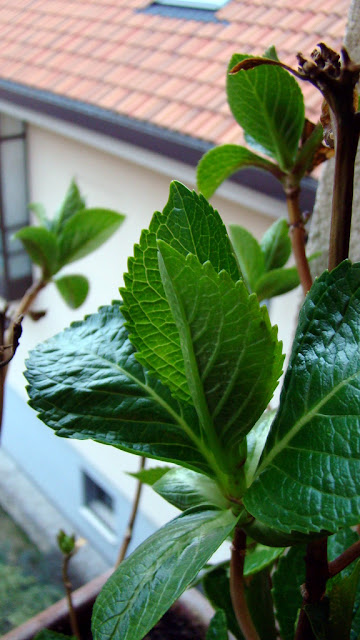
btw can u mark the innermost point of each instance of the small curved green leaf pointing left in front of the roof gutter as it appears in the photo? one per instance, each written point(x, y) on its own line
point(221, 162)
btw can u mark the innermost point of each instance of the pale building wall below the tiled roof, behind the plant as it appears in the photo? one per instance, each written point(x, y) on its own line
point(136, 183)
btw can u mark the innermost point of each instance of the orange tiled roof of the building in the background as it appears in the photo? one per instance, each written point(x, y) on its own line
point(167, 71)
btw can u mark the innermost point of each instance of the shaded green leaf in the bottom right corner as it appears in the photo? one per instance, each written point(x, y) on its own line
point(342, 593)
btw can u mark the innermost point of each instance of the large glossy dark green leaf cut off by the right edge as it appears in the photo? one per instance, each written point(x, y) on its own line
point(309, 476)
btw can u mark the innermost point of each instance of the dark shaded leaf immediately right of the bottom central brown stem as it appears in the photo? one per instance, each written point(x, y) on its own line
point(260, 603)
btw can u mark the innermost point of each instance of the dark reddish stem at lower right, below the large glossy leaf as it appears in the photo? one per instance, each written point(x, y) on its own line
point(317, 574)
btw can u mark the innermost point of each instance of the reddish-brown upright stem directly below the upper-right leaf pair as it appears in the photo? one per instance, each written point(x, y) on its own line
point(298, 236)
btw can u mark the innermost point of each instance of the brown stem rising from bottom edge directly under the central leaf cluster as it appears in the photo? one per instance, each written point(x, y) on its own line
point(237, 587)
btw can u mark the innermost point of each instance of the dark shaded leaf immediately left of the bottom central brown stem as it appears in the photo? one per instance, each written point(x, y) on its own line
point(217, 589)
